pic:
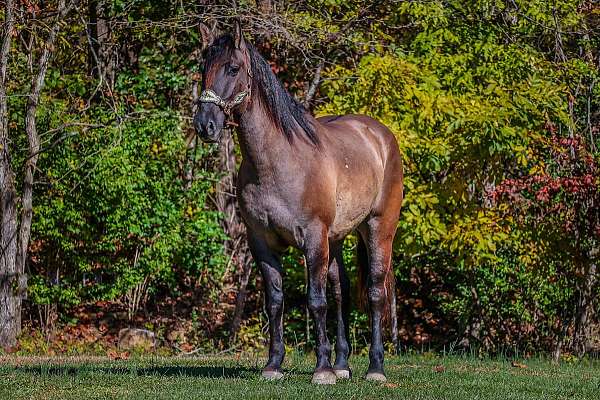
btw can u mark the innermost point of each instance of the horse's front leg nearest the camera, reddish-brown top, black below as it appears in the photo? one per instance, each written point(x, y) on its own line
point(316, 248)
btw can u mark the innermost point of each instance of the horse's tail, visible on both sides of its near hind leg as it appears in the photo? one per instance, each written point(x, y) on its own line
point(362, 260)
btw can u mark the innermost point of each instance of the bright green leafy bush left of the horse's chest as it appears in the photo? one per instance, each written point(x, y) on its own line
point(114, 210)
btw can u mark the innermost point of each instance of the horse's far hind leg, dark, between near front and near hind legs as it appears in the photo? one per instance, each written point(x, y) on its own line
point(341, 292)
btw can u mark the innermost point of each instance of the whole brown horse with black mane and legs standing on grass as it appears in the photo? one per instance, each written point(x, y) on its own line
point(307, 183)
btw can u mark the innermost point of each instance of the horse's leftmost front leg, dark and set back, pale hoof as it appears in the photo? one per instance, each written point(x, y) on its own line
point(270, 268)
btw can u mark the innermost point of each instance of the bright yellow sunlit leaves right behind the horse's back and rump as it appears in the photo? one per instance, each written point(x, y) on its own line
point(447, 135)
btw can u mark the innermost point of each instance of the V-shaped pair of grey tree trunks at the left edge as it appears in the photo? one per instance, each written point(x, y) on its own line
point(15, 238)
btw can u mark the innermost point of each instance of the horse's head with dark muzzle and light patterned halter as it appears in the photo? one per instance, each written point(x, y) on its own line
point(226, 82)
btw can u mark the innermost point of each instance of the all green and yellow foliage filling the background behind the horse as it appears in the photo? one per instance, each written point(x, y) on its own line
point(470, 89)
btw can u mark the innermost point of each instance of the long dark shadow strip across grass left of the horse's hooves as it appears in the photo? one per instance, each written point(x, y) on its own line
point(162, 371)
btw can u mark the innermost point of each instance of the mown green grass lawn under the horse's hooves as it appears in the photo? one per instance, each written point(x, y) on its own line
point(409, 377)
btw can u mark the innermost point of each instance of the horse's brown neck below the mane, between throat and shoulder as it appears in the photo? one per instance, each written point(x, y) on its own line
point(261, 143)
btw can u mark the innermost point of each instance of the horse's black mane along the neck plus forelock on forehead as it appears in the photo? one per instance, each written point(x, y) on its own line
point(287, 113)
